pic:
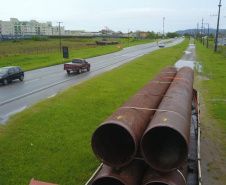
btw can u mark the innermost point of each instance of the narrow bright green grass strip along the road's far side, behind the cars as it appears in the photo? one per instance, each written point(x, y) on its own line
point(29, 62)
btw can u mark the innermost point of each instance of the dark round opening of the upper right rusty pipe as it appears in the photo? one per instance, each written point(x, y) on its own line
point(164, 149)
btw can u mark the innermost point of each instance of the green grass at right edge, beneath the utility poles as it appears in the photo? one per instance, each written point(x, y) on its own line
point(213, 88)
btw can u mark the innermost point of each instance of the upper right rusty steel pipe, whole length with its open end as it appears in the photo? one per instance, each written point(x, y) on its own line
point(165, 143)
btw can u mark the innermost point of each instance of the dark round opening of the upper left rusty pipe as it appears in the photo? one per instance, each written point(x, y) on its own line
point(113, 145)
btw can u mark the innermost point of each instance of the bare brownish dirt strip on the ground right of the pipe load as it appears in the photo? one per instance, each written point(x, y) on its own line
point(213, 163)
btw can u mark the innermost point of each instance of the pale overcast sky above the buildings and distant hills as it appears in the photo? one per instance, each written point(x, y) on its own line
point(117, 15)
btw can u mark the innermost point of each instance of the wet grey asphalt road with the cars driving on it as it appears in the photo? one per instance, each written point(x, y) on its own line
point(47, 82)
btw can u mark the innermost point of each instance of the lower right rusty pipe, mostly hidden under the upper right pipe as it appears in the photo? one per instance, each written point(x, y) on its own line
point(176, 177)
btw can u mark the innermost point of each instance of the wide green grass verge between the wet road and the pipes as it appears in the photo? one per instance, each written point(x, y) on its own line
point(50, 141)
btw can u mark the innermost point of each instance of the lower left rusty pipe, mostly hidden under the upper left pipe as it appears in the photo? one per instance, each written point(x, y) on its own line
point(132, 174)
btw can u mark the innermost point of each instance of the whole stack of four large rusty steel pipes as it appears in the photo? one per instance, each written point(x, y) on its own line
point(156, 120)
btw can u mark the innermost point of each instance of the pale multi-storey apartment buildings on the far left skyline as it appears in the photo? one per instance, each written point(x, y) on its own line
point(32, 27)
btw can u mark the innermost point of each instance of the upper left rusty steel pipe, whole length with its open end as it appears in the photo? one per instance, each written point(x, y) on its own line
point(116, 141)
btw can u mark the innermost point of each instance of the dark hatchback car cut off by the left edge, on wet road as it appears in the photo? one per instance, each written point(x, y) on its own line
point(7, 74)
